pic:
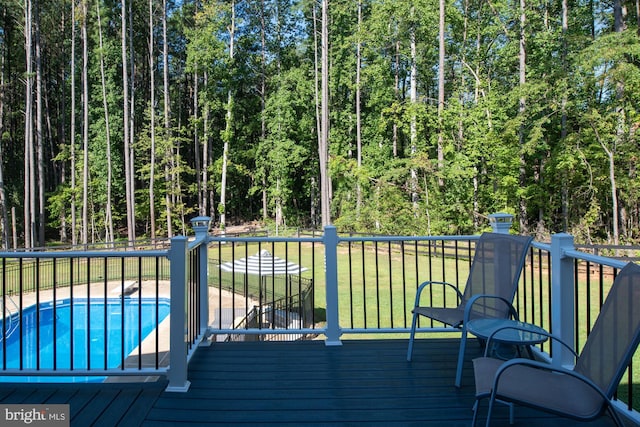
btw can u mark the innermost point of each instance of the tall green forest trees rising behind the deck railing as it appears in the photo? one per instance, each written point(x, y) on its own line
point(121, 120)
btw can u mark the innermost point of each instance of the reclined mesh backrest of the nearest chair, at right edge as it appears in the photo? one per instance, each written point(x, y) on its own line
point(615, 335)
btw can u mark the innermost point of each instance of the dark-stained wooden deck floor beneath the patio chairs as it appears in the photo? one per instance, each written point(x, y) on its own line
point(361, 383)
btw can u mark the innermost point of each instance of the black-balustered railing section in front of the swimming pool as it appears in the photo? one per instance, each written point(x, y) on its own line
point(80, 313)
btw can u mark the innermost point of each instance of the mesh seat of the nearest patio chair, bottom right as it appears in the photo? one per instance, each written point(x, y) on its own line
point(538, 388)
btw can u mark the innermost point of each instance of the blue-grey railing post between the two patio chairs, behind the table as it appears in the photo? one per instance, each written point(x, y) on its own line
point(562, 298)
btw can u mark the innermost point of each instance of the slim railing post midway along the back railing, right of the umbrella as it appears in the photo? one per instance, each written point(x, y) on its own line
point(331, 273)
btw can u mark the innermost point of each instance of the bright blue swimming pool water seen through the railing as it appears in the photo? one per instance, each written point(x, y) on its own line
point(96, 338)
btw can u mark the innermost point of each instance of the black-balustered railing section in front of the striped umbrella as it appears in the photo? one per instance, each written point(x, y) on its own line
point(244, 292)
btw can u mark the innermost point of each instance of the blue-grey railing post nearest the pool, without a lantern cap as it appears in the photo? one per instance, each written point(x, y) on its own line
point(178, 348)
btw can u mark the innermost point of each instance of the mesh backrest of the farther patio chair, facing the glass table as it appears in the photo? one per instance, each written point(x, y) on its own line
point(495, 270)
